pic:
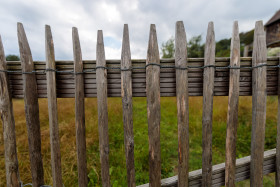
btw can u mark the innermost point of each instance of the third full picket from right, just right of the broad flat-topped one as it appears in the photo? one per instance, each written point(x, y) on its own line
point(207, 113)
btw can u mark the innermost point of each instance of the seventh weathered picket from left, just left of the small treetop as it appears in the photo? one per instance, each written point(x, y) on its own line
point(153, 108)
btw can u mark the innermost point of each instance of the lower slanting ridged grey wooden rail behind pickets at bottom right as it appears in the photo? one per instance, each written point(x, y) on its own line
point(218, 172)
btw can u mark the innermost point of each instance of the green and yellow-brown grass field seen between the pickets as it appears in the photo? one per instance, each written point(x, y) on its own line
point(117, 155)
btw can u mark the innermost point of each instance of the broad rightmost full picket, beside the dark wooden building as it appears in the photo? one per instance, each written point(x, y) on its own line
point(259, 105)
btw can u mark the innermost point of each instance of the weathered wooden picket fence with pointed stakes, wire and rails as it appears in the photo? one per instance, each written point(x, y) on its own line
point(152, 78)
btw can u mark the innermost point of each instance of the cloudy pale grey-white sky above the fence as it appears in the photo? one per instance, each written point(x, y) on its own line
point(110, 16)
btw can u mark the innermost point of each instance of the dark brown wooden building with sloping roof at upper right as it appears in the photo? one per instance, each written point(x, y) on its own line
point(272, 28)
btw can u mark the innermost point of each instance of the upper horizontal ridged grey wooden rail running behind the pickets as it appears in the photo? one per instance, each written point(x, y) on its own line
point(66, 86)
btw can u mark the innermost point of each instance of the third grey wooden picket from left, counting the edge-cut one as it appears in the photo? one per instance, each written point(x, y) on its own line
point(52, 108)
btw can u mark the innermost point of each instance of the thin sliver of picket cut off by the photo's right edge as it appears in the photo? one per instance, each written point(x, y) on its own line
point(277, 175)
